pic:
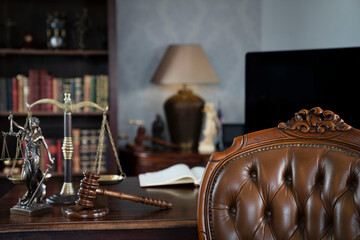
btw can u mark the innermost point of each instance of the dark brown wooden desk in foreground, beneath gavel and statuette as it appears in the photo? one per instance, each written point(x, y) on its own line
point(126, 220)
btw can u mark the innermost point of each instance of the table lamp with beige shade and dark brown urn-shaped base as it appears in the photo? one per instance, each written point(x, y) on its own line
point(184, 64)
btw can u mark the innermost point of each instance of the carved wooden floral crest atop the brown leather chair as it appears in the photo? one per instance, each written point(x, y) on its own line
point(315, 120)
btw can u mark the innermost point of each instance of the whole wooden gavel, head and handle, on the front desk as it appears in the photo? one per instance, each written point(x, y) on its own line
point(89, 186)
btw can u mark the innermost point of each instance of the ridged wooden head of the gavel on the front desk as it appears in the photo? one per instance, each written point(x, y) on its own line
point(87, 190)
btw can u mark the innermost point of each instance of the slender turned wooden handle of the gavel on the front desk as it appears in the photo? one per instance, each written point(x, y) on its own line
point(135, 198)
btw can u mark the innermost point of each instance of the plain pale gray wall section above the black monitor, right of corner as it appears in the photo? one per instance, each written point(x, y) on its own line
point(308, 24)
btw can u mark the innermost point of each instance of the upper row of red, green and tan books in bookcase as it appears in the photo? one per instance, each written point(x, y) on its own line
point(15, 92)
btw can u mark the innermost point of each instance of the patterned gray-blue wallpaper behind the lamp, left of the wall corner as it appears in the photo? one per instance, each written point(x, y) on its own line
point(226, 29)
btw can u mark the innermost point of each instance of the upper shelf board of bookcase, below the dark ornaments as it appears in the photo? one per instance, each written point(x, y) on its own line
point(47, 52)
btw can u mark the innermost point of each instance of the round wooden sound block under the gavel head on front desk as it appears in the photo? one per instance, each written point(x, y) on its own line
point(81, 212)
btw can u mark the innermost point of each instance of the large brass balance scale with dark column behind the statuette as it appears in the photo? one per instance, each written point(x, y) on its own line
point(67, 194)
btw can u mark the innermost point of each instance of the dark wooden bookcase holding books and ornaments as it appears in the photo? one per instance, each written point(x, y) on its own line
point(98, 57)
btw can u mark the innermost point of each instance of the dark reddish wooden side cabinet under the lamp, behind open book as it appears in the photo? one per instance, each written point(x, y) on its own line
point(136, 162)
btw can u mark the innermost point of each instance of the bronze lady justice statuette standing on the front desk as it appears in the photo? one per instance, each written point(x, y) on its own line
point(32, 202)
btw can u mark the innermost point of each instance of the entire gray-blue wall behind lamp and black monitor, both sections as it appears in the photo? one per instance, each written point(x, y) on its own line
point(226, 29)
